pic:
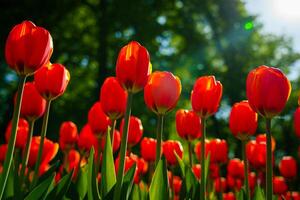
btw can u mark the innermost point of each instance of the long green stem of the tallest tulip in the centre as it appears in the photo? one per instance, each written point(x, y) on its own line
point(117, 192)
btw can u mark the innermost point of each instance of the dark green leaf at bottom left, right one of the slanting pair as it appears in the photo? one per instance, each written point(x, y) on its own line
point(62, 187)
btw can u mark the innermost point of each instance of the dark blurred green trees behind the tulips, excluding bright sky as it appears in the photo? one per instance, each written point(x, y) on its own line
point(189, 38)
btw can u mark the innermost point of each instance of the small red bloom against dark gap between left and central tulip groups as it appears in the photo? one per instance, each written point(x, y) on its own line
point(68, 135)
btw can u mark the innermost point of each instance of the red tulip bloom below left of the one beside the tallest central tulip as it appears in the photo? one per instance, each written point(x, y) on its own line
point(98, 120)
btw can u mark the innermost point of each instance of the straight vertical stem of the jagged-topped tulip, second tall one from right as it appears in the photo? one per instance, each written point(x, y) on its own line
point(203, 184)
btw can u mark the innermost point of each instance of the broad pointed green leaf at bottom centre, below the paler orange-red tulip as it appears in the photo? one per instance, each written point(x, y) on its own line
point(159, 185)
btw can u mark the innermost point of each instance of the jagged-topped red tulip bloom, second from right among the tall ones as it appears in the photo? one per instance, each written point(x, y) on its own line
point(206, 96)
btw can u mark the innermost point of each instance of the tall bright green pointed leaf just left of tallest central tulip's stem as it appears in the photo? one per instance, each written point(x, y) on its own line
point(108, 176)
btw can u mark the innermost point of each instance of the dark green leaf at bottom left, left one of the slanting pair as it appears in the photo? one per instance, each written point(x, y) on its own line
point(39, 191)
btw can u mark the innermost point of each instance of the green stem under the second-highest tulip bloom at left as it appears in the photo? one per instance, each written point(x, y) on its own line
point(43, 135)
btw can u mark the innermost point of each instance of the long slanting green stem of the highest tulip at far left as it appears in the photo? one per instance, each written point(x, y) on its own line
point(12, 139)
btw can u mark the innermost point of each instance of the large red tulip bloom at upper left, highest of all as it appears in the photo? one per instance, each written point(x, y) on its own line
point(28, 47)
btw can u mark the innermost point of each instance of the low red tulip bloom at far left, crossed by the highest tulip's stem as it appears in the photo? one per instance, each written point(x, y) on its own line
point(22, 133)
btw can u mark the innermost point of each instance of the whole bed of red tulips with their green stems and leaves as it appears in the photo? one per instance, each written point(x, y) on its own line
point(99, 155)
